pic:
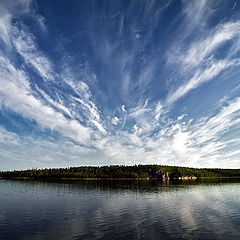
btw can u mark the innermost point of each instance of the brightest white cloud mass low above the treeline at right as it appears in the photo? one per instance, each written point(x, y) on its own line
point(198, 144)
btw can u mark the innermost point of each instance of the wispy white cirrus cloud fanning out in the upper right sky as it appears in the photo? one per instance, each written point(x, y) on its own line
point(199, 60)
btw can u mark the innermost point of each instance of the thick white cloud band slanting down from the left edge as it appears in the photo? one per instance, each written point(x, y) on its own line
point(16, 94)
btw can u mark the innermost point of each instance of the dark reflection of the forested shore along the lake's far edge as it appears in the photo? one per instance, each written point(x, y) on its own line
point(128, 185)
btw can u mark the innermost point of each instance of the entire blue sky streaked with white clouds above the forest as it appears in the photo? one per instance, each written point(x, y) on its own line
point(105, 82)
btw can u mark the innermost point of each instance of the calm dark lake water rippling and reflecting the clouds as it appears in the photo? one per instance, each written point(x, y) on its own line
point(118, 210)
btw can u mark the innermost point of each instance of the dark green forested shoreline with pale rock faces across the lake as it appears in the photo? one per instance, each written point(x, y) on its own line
point(121, 171)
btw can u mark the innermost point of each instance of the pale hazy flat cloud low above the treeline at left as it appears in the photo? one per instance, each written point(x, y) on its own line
point(28, 152)
